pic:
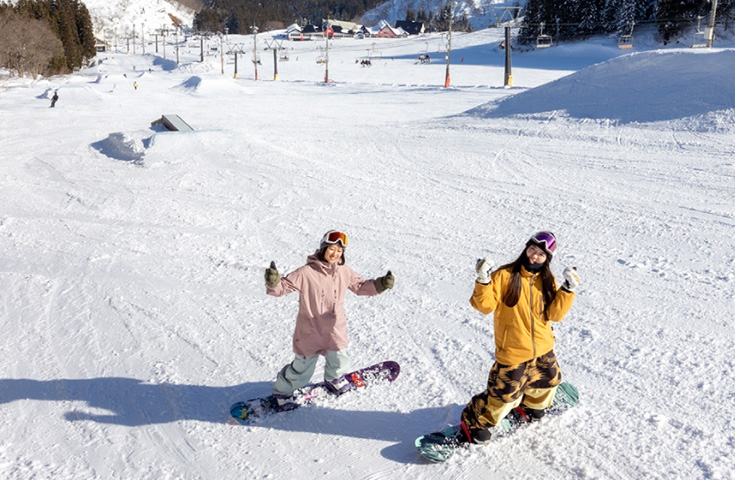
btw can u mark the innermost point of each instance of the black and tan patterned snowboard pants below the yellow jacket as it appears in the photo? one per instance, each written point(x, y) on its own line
point(532, 383)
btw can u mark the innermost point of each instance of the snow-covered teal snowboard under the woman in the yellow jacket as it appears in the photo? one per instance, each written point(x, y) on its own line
point(439, 446)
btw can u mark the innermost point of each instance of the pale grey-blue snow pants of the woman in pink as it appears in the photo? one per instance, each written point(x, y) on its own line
point(298, 373)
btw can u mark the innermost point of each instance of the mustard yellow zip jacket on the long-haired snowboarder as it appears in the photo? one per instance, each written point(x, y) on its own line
point(521, 332)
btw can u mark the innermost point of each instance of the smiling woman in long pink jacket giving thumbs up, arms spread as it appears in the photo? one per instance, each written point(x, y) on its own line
point(321, 325)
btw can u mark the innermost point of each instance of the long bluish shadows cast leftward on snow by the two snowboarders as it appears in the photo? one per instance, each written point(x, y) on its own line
point(132, 403)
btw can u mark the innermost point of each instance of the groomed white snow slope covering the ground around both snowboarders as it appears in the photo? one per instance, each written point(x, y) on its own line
point(133, 306)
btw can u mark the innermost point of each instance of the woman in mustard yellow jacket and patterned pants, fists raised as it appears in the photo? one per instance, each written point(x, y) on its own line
point(524, 298)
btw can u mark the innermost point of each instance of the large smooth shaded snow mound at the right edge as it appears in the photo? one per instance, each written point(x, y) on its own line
point(640, 87)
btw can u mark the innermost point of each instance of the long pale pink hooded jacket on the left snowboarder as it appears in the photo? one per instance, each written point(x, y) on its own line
point(321, 324)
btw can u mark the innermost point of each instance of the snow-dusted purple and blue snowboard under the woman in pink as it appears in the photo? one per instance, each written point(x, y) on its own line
point(250, 411)
